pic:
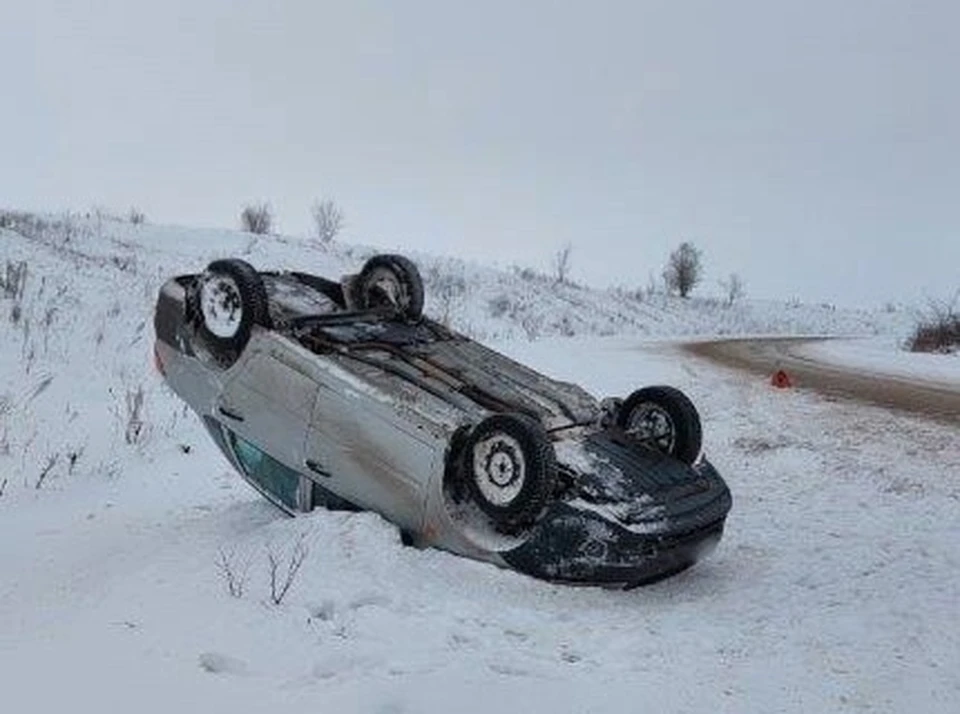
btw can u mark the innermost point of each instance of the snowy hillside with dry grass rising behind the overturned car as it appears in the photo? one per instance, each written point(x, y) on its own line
point(78, 334)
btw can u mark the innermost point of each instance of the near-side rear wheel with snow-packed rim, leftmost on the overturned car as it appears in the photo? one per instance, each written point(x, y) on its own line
point(230, 299)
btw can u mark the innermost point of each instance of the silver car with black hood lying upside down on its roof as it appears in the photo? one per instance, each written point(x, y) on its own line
point(343, 394)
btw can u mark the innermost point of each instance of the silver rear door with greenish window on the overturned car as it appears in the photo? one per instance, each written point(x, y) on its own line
point(265, 407)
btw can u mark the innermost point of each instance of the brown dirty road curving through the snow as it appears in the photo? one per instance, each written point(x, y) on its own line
point(940, 401)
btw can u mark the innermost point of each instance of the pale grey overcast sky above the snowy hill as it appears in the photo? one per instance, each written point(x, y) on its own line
point(813, 147)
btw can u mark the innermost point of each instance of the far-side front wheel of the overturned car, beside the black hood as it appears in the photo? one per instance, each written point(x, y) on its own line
point(663, 419)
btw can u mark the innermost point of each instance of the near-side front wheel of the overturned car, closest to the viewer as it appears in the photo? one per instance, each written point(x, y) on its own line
point(510, 469)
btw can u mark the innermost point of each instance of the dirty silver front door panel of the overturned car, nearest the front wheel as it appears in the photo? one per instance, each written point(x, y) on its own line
point(362, 446)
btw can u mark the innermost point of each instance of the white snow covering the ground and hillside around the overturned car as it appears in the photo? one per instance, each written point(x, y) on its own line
point(835, 587)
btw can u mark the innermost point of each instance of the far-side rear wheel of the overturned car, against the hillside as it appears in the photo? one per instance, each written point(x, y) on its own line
point(391, 280)
